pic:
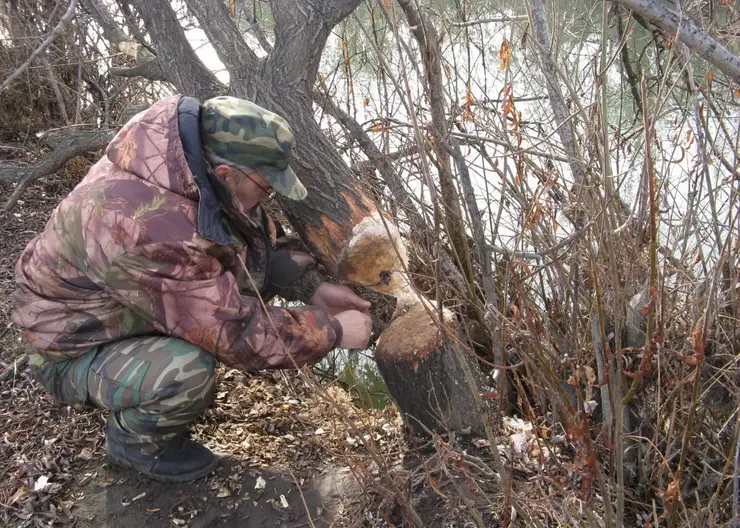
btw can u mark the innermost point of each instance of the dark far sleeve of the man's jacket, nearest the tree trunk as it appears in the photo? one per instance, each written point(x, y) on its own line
point(294, 273)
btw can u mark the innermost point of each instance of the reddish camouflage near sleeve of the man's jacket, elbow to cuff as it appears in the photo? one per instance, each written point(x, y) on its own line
point(188, 294)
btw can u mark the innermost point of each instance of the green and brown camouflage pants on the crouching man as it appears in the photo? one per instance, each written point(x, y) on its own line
point(155, 386)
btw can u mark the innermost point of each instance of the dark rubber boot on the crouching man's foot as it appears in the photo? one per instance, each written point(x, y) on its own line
point(180, 460)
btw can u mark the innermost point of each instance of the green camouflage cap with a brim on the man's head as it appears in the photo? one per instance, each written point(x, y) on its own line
point(250, 136)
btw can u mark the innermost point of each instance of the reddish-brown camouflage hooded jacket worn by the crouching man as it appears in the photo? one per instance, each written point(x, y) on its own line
point(140, 247)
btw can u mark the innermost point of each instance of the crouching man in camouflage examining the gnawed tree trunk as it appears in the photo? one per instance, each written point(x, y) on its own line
point(160, 262)
